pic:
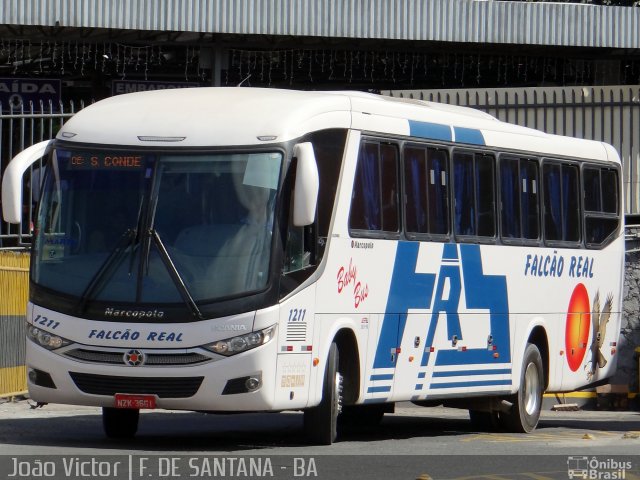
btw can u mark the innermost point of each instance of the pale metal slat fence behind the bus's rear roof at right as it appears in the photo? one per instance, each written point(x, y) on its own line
point(610, 114)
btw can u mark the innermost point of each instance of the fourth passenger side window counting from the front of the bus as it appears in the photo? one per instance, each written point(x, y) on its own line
point(519, 198)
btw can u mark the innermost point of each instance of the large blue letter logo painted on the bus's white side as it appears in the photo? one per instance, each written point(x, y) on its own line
point(412, 290)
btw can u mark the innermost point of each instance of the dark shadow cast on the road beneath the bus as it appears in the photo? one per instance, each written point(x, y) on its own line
point(210, 433)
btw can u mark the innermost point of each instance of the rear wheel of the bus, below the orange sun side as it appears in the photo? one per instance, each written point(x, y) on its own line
point(527, 403)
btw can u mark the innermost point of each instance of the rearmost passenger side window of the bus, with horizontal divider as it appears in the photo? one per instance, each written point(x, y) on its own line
point(600, 204)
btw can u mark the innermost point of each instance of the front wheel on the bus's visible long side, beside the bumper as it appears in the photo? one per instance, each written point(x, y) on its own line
point(321, 422)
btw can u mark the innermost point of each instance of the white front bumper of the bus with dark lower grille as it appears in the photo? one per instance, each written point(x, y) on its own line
point(242, 382)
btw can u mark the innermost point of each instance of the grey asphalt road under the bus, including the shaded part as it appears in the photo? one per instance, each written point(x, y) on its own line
point(414, 442)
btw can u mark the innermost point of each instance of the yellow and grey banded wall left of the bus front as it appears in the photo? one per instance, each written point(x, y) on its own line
point(14, 286)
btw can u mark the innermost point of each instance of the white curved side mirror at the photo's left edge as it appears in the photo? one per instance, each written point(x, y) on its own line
point(12, 180)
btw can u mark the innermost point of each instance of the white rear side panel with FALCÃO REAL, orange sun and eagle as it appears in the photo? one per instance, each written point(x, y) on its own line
point(556, 289)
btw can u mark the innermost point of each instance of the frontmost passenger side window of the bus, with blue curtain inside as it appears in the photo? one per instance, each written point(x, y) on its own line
point(375, 200)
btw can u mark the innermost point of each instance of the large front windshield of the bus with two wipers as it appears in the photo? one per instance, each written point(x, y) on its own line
point(125, 226)
